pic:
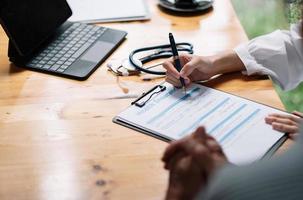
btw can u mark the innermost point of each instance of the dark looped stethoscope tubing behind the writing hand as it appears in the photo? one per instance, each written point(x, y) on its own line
point(160, 51)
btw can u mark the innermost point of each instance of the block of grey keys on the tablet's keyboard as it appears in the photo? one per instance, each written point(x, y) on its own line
point(67, 48)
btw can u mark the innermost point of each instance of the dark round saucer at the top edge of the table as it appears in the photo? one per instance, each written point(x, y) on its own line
point(186, 6)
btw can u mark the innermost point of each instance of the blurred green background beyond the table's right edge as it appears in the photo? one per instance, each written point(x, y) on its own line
point(259, 17)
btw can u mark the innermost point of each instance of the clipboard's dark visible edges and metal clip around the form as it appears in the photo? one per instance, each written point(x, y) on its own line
point(150, 132)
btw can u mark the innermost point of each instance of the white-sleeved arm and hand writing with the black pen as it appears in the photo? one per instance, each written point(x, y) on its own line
point(278, 54)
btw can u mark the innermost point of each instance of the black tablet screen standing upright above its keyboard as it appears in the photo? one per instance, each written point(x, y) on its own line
point(29, 23)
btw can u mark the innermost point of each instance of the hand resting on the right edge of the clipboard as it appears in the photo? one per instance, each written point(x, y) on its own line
point(286, 123)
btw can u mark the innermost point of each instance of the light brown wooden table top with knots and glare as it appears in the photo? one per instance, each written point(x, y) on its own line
point(57, 140)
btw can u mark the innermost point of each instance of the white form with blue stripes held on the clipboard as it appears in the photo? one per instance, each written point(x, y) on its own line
point(236, 123)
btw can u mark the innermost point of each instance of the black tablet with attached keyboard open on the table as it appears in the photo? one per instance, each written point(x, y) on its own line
point(41, 38)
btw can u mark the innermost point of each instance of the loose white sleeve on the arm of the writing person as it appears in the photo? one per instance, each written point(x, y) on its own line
point(278, 54)
